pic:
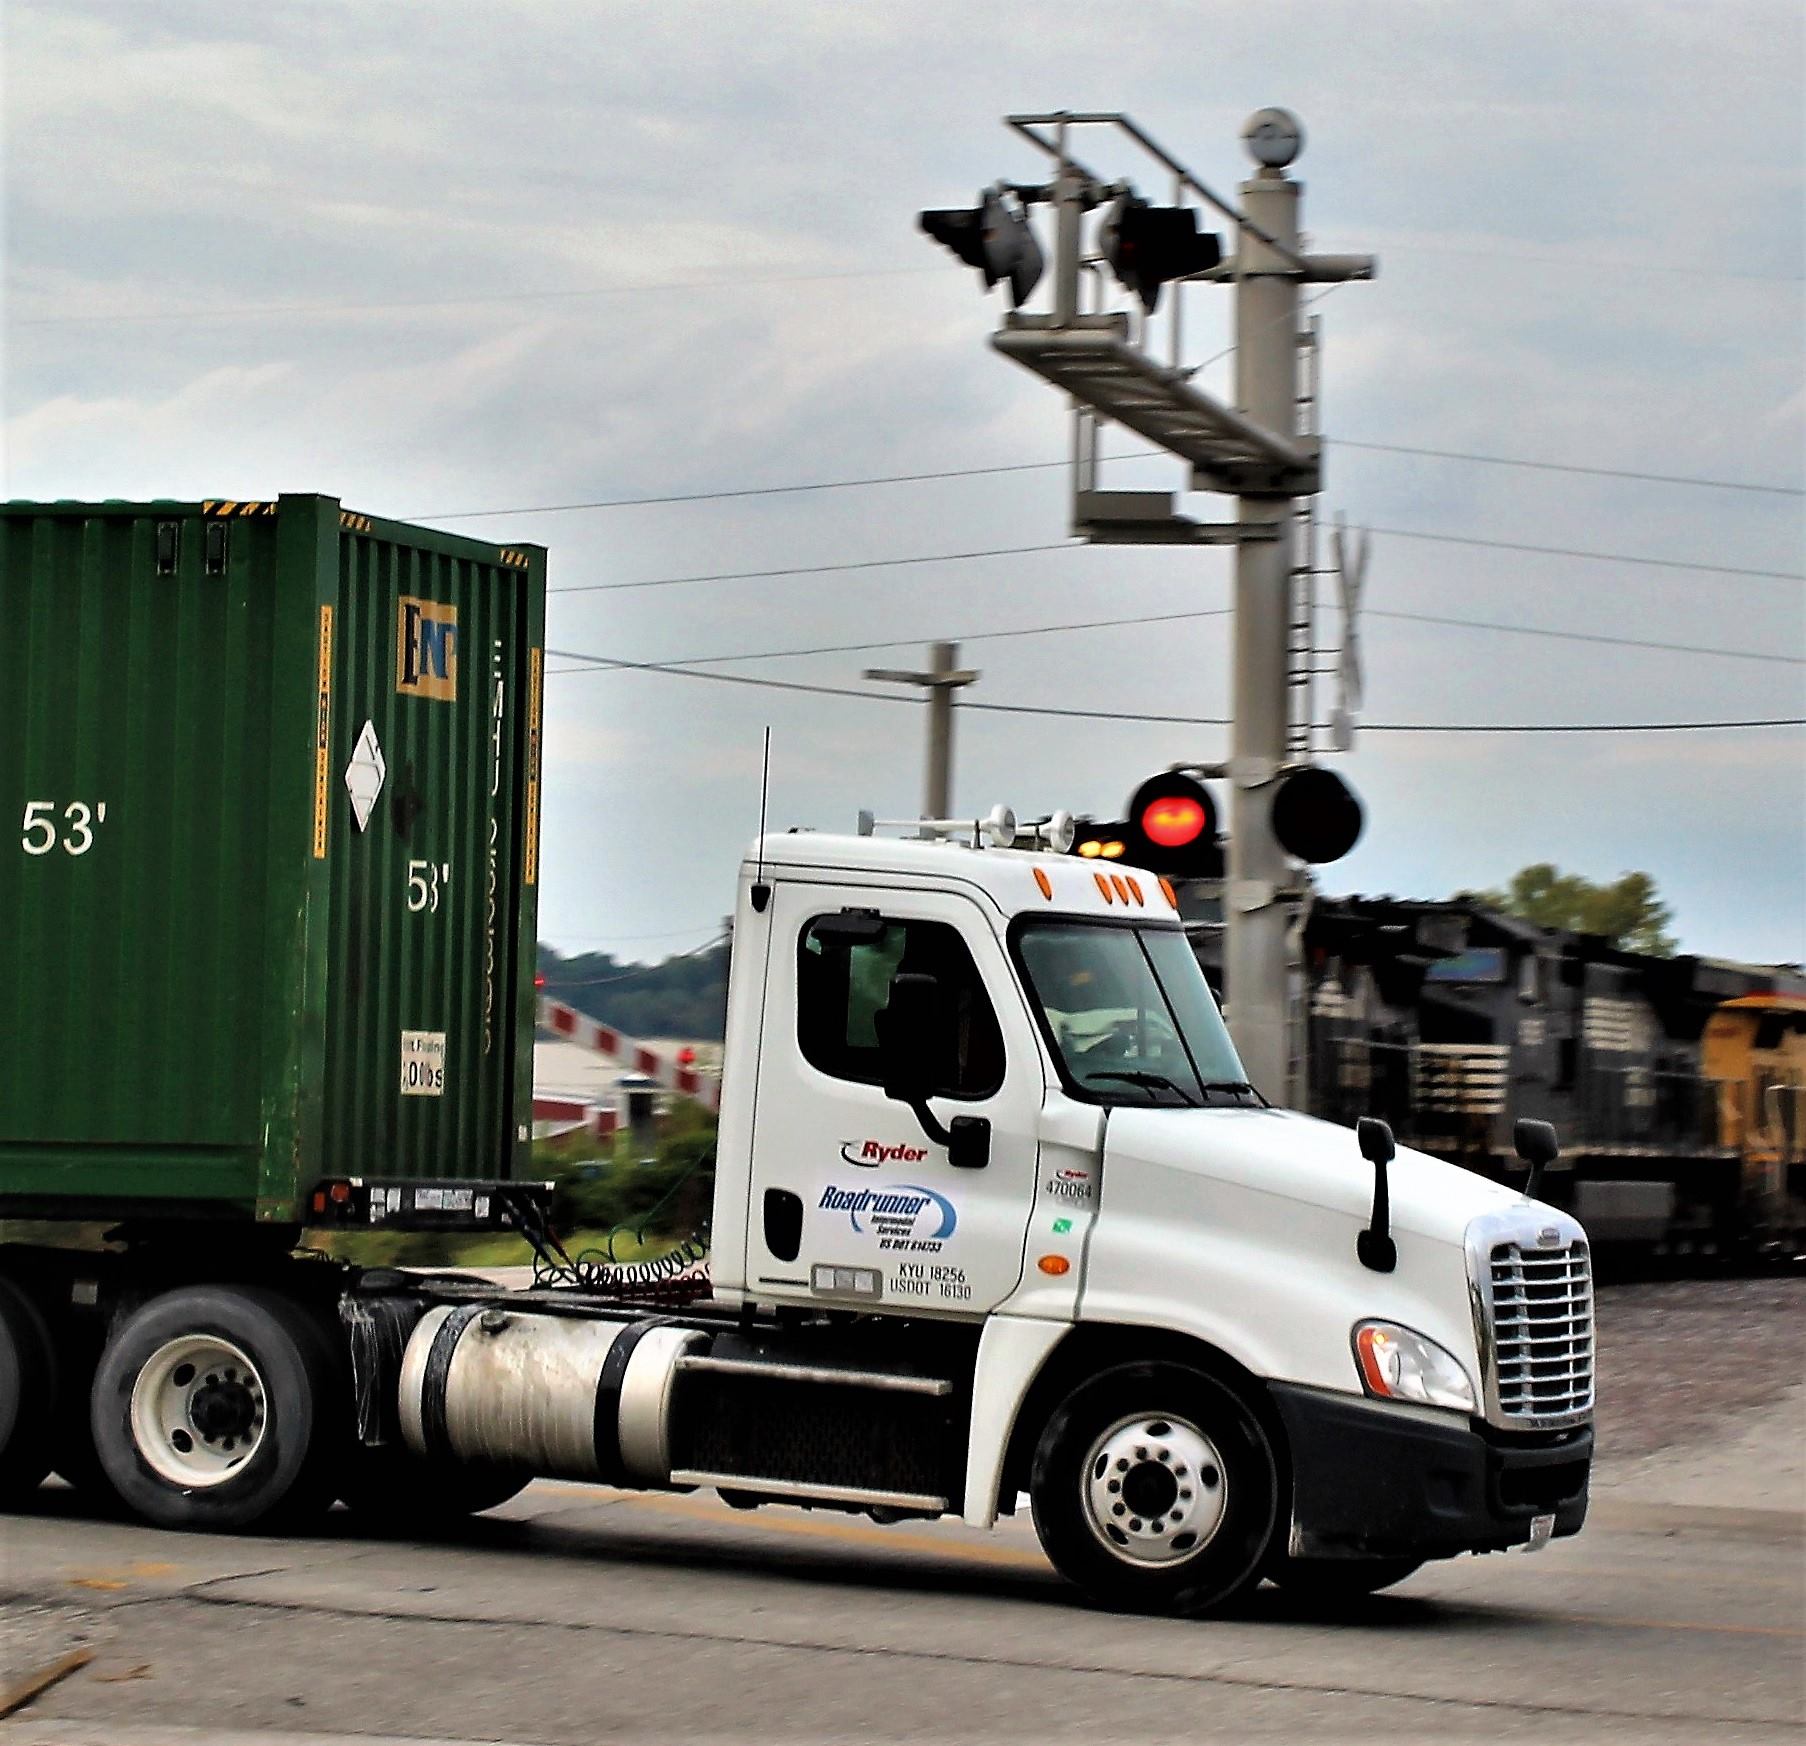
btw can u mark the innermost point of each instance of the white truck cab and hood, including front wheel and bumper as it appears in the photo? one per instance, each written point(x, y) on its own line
point(985, 1093)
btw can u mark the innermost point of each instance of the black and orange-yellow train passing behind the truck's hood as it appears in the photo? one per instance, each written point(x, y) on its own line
point(1677, 1084)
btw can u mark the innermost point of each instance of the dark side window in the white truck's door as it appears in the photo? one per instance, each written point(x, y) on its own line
point(844, 987)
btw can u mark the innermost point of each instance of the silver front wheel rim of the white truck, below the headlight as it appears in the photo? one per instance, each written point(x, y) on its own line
point(1155, 1491)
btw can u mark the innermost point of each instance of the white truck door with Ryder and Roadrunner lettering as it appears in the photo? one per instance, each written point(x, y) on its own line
point(852, 1202)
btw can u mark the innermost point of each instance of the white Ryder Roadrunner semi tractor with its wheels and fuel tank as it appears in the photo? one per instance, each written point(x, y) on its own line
point(996, 1214)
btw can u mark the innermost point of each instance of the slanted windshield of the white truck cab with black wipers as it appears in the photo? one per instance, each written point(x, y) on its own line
point(1130, 1014)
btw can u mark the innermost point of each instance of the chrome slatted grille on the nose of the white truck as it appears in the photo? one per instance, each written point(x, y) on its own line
point(1543, 1332)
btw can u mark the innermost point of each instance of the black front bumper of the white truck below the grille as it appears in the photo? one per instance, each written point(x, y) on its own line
point(1375, 1483)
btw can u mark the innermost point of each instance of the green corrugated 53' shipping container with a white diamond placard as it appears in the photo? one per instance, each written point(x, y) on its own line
point(270, 857)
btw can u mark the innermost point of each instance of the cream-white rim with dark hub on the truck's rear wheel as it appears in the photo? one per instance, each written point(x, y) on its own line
point(200, 1411)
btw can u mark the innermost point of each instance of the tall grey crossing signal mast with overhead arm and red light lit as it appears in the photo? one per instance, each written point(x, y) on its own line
point(1261, 450)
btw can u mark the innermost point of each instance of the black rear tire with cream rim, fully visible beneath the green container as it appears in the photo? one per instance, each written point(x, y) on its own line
point(288, 1411)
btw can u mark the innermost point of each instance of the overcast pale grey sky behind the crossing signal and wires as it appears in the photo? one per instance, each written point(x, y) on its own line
point(456, 257)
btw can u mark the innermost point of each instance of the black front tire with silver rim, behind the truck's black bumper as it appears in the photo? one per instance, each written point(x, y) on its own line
point(1157, 1438)
